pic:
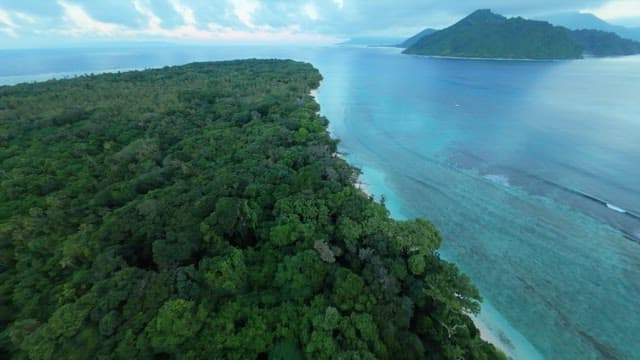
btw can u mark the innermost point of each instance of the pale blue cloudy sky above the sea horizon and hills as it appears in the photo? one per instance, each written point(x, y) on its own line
point(51, 23)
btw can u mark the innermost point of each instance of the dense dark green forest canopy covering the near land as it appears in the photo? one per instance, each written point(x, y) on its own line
point(200, 212)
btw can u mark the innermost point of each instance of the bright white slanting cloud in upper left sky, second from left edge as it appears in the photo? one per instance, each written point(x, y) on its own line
point(81, 23)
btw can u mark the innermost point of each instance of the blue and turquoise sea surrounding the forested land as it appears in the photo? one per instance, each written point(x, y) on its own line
point(514, 161)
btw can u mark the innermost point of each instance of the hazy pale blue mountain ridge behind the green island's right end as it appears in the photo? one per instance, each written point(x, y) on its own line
point(580, 21)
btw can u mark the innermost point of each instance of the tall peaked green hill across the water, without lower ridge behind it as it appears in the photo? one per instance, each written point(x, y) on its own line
point(484, 34)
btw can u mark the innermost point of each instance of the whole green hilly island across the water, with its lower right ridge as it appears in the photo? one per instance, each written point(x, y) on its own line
point(484, 34)
